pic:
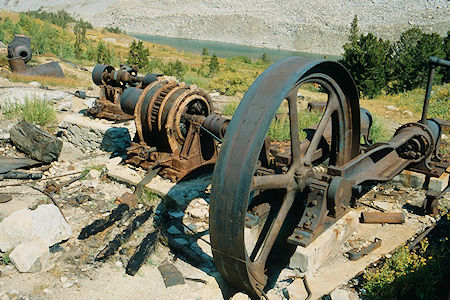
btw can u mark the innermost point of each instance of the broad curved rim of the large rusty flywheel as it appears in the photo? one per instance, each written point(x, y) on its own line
point(232, 183)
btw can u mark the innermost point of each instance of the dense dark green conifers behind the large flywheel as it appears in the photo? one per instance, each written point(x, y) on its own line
point(380, 66)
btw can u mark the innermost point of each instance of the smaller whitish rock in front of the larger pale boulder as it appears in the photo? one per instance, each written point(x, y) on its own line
point(30, 256)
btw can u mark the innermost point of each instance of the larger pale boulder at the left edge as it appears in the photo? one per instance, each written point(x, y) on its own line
point(45, 222)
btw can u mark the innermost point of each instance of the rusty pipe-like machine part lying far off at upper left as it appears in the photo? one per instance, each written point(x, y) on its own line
point(19, 53)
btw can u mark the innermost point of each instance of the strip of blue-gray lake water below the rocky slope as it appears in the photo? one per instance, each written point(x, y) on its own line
point(224, 49)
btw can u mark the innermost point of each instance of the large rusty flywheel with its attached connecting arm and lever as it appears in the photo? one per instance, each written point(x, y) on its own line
point(283, 191)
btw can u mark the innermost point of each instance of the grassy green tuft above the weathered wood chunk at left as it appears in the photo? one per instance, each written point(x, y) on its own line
point(36, 111)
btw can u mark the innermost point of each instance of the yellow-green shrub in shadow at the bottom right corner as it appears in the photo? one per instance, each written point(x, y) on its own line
point(423, 274)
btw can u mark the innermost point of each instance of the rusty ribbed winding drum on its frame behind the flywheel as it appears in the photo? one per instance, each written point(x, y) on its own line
point(176, 129)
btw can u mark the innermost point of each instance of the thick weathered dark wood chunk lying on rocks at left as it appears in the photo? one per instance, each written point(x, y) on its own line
point(35, 142)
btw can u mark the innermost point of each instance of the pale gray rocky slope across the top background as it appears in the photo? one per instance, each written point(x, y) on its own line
point(310, 25)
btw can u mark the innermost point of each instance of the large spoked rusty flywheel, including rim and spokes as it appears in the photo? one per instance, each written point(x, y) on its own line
point(236, 187)
